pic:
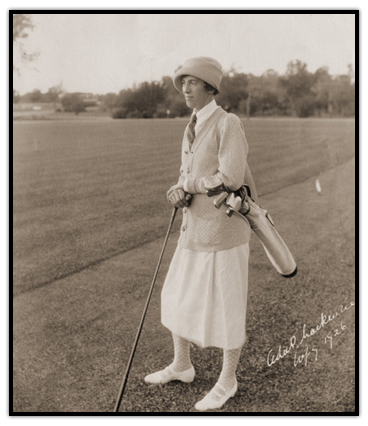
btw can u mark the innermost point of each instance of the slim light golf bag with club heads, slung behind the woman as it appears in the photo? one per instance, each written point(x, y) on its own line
point(241, 203)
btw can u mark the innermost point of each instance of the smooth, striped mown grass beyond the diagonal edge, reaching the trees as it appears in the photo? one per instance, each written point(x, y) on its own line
point(85, 191)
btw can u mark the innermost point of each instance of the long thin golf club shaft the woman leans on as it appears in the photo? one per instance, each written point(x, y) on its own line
point(125, 378)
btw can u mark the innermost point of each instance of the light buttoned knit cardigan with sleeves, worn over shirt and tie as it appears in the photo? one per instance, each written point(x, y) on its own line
point(218, 154)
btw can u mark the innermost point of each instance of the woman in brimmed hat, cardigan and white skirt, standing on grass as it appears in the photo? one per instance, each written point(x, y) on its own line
point(204, 296)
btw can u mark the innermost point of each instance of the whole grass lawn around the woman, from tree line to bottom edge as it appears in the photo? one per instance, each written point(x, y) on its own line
point(89, 214)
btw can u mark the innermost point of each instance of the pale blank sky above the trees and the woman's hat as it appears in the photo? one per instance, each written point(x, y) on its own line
point(103, 53)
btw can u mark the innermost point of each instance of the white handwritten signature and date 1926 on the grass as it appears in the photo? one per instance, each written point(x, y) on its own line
point(272, 358)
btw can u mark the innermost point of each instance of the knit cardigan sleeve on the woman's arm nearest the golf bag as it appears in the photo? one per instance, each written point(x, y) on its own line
point(232, 156)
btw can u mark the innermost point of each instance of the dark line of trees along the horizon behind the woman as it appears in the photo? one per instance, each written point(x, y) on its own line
point(298, 92)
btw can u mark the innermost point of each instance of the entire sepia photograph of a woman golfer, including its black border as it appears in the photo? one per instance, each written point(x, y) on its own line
point(184, 211)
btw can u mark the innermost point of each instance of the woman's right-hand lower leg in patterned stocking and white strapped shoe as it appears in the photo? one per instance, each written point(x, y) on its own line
point(226, 386)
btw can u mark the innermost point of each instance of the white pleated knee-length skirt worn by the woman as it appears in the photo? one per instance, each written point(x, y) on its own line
point(204, 297)
